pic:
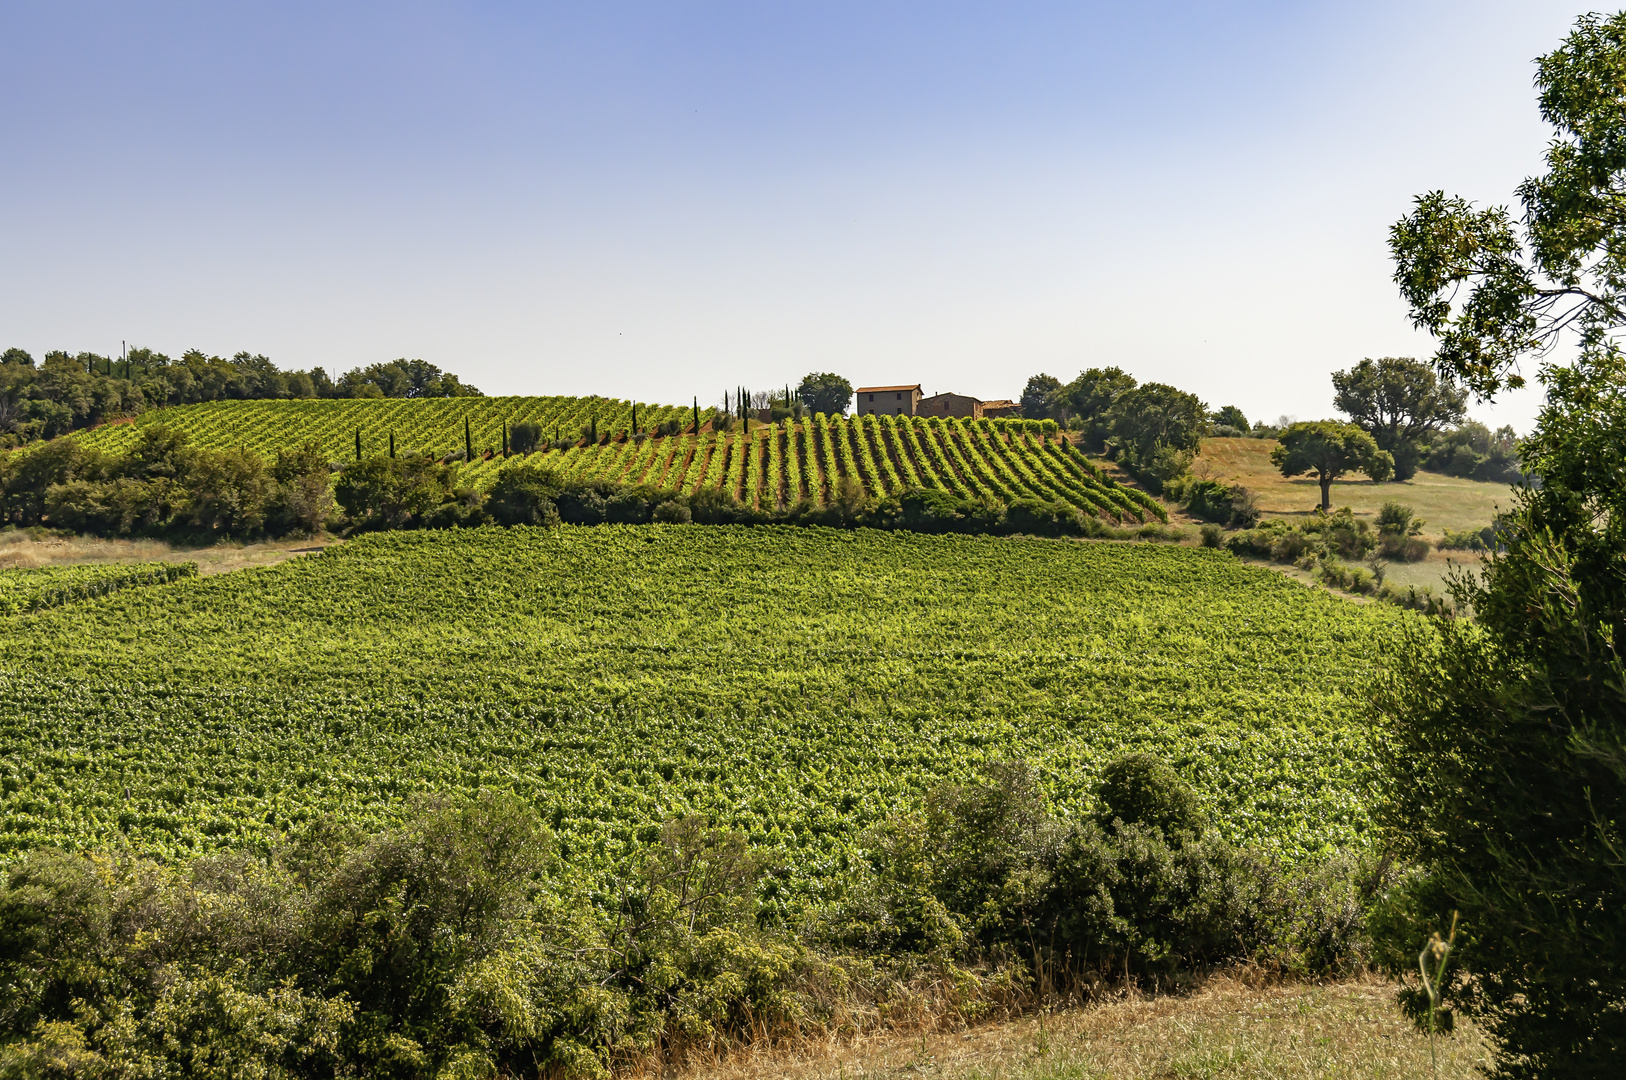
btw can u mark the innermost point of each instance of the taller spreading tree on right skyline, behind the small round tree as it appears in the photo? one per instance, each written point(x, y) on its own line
point(1399, 403)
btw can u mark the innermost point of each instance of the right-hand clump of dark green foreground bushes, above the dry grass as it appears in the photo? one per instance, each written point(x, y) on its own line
point(989, 868)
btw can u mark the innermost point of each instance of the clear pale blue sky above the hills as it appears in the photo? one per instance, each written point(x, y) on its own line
point(661, 201)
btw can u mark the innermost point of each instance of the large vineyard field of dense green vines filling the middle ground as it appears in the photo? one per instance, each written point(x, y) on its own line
point(799, 684)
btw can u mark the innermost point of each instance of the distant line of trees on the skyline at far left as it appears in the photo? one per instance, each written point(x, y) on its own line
point(67, 393)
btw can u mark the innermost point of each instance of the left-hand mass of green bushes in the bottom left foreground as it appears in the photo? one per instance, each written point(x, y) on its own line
point(454, 944)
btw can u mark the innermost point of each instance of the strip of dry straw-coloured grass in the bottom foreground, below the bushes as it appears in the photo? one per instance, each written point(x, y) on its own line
point(1228, 1029)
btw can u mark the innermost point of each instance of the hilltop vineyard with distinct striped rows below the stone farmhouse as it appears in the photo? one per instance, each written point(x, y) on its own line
point(765, 466)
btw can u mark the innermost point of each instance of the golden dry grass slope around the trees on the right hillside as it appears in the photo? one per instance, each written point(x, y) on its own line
point(1441, 502)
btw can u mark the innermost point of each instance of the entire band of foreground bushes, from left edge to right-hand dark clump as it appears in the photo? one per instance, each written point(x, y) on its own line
point(461, 944)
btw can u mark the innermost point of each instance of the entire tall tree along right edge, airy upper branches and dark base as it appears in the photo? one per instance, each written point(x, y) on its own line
point(1506, 734)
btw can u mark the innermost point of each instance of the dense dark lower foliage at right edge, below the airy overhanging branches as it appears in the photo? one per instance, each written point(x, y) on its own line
point(1503, 747)
